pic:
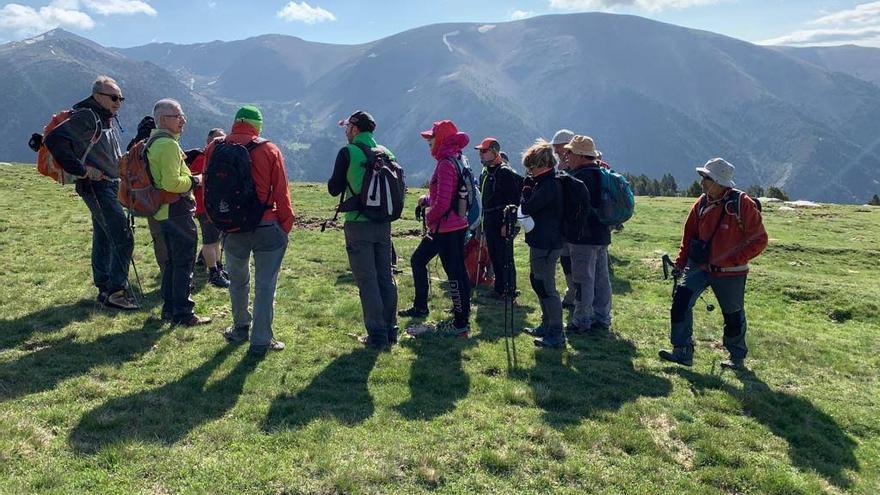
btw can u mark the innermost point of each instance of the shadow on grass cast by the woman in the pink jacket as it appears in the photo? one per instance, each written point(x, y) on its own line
point(437, 379)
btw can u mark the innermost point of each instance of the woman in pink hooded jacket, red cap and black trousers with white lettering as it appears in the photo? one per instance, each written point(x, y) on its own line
point(446, 233)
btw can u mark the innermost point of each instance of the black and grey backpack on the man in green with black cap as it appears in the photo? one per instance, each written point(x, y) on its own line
point(383, 189)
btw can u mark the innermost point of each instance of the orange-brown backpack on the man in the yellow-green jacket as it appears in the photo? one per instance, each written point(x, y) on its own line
point(137, 190)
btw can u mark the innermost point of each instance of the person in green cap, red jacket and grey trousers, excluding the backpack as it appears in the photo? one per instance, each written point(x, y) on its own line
point(267, 241)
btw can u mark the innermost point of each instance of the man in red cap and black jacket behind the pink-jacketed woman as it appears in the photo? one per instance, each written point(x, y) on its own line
point(500, 186)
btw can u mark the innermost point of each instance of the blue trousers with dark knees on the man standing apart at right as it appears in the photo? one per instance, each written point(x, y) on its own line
point(730, 292)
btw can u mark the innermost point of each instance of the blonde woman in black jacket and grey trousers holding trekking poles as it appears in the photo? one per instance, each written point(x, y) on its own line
point(542, 200)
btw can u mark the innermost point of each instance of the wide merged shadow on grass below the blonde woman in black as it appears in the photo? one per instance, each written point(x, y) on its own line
point(596, 375)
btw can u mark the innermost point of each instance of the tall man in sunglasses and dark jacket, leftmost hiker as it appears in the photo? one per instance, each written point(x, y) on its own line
point(87, 146)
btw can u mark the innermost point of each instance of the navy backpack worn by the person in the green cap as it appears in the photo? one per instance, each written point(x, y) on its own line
point(231, 200)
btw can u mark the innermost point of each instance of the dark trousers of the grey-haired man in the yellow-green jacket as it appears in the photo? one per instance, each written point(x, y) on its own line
point(180, 243)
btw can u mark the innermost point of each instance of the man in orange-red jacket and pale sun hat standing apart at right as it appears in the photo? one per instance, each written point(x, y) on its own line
point(723, 232)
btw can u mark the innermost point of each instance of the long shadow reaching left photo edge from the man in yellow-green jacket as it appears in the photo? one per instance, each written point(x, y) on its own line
point(65, 358)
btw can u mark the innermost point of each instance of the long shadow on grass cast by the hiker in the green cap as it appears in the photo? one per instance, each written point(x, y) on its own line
point(167, 413)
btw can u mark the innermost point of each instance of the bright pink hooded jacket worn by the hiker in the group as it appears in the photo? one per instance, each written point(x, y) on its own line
point(443, 188)
